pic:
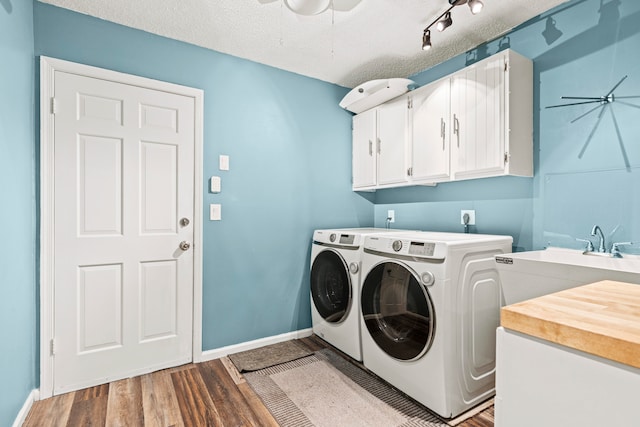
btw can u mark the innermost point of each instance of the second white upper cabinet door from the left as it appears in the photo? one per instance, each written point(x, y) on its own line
point(392, 147)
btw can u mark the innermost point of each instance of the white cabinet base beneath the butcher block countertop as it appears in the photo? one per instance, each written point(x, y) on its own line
point(539, 383)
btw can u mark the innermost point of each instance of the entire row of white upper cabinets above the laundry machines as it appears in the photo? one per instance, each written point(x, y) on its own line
point(475, 123)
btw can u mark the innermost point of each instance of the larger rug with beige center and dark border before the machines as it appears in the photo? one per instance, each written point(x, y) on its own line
point(325, 390)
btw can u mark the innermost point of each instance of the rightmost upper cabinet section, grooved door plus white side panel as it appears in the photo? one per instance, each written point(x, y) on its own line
point(492, 114)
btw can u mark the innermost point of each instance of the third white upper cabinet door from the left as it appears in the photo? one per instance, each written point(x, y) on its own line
point(430, 140)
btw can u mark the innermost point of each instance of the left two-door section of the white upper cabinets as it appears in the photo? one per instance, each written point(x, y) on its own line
point(379, 146)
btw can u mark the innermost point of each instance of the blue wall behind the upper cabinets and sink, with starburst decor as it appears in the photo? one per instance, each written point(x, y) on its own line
point(586, 172)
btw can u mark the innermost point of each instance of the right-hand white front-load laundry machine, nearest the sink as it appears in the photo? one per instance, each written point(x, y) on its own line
point(430, 308)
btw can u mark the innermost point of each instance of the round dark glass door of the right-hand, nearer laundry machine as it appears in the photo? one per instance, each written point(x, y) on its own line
point(398, 311)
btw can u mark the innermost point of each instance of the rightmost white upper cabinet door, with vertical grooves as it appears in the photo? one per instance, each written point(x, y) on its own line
point(477, 109)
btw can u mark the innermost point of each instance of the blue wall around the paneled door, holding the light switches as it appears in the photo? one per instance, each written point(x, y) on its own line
point(290, 154)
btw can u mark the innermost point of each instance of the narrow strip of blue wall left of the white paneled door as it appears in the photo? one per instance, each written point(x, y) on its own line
point(17, 215)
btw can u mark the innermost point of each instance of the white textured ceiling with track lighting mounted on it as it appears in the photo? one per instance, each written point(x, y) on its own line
point(353, 42)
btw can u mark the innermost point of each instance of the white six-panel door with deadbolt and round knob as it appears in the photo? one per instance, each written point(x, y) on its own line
point(123, 230)
